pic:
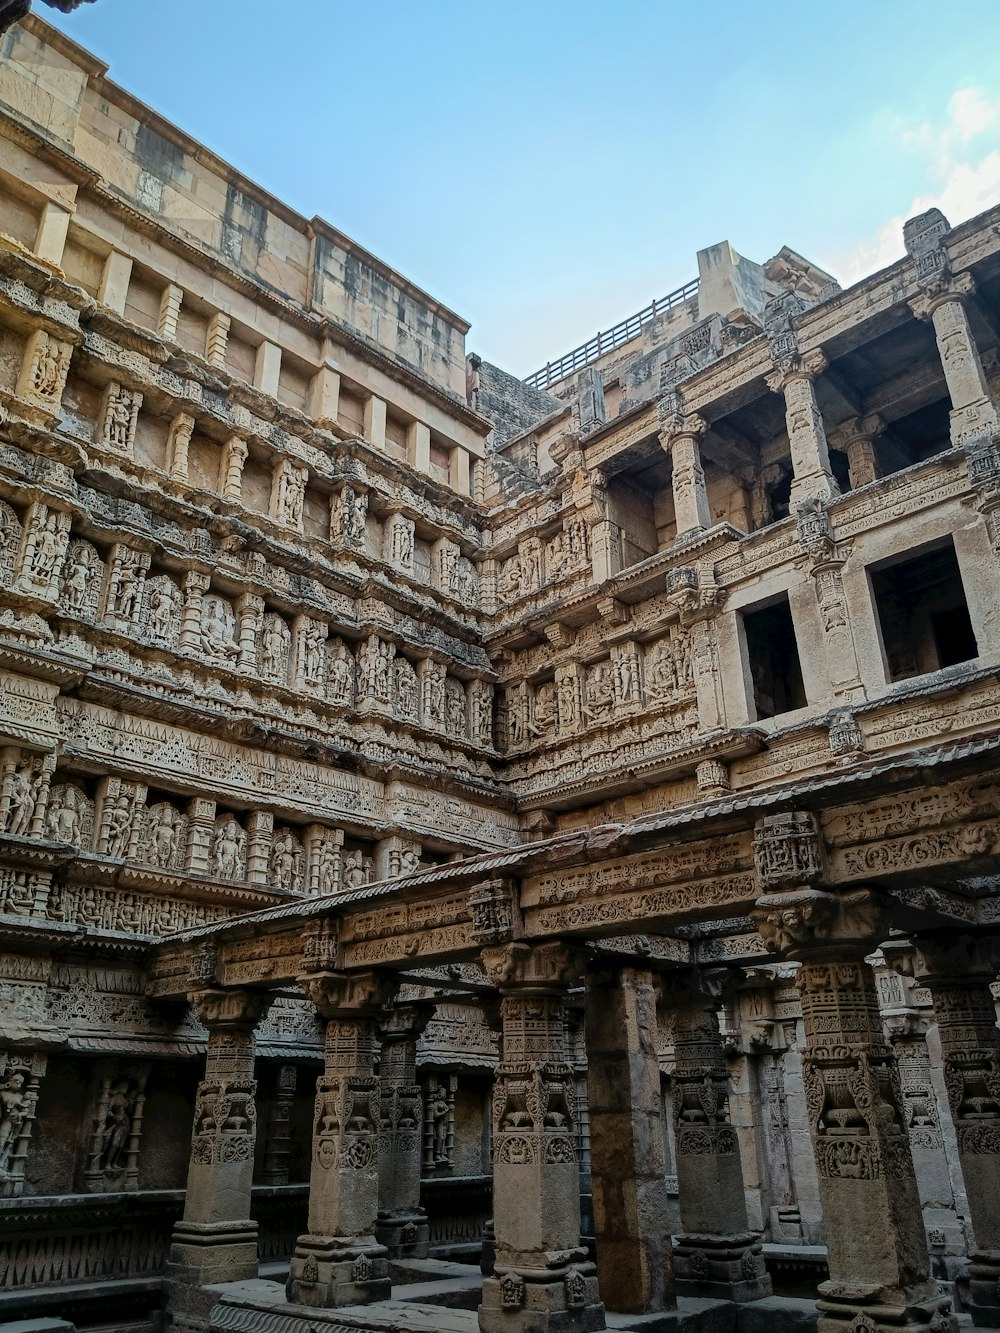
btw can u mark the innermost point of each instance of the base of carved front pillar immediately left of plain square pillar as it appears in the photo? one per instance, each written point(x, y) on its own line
point(541, 1300)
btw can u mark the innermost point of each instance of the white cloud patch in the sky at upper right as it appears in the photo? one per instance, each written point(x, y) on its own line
point(967, 175)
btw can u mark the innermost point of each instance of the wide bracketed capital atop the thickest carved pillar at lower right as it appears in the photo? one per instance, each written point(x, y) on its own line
point(813, 924)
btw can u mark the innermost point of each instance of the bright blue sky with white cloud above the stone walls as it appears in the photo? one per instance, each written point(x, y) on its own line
point(547, 169)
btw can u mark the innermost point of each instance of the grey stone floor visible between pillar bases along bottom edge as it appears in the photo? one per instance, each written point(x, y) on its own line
point(441, 1298)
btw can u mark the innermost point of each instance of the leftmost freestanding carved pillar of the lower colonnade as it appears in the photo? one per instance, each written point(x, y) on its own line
point(217, 1242)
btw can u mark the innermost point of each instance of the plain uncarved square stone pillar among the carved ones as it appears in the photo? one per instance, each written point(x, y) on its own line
point(635, 1266)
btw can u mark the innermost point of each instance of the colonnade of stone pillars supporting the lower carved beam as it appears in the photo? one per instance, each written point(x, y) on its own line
point(365, 1192)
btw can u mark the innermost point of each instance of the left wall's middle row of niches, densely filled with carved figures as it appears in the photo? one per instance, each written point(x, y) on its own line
point(125, 594)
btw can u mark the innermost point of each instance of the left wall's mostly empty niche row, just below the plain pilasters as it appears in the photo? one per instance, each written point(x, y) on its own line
point(241, 475)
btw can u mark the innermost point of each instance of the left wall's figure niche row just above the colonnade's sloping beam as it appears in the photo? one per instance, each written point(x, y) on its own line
point(125, 820)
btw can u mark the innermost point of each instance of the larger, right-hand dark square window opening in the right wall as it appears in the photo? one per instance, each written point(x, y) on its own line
point(923, 614)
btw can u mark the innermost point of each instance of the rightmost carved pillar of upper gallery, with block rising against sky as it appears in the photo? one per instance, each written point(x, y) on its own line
point(942, 301)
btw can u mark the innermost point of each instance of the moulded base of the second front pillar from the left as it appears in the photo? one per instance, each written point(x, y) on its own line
point(331, 1271)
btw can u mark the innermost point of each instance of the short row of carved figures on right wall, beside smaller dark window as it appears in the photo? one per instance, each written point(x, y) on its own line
point(637, 679)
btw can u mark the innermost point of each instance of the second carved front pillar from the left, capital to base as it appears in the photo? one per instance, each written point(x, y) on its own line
point(339, 1262)
